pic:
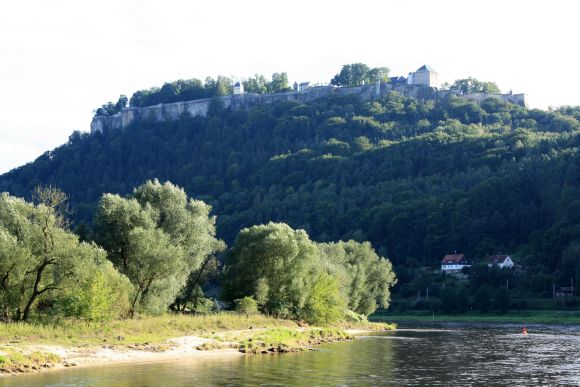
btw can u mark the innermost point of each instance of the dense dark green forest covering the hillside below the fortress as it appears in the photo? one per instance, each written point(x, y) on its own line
point(417, 180)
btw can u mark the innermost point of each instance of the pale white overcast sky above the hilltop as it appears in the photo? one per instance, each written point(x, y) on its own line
point(61, 59)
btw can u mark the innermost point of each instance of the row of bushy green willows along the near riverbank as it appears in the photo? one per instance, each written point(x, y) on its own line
point(157, 249)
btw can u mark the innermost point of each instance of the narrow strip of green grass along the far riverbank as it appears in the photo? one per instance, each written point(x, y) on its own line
point(516, 317)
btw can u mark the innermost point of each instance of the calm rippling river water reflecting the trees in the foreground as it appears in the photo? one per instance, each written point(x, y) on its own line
point(450, 354)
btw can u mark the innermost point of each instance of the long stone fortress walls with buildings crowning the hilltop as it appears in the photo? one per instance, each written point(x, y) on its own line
point(419, 85)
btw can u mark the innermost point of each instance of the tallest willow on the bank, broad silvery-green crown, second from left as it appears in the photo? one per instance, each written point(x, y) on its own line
point(158, 237)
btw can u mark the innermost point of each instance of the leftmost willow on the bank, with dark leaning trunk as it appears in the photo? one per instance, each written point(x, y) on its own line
point(40, 260)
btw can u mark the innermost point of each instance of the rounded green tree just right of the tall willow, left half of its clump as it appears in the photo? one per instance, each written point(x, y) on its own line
point(275, 264)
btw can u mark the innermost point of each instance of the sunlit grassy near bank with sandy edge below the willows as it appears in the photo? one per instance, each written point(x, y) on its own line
point(254, 333)
